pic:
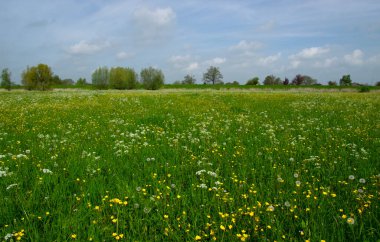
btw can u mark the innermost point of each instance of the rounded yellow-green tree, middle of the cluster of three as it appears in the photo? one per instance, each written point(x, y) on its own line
point(123, 78)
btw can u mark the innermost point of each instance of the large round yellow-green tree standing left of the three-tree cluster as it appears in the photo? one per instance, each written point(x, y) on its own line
point(37, 77)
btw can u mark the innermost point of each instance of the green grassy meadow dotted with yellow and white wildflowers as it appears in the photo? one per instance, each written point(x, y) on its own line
point(189, 165)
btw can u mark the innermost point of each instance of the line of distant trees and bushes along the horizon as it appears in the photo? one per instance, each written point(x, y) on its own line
point(41, 77)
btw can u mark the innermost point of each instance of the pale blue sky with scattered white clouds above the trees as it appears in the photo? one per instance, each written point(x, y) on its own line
point(324, 39)
